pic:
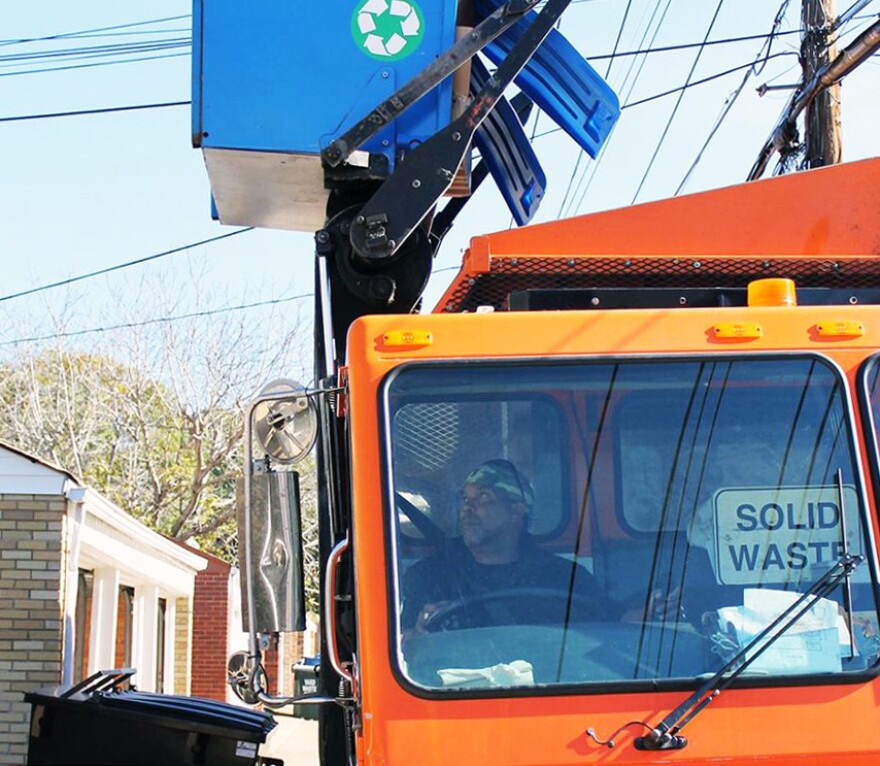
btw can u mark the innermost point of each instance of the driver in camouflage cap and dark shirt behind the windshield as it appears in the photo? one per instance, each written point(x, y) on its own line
point(495, 554)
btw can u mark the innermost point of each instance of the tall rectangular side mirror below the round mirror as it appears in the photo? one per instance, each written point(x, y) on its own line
point(272, 575)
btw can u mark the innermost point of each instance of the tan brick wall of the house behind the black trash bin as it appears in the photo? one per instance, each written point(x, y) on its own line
point(31, 562)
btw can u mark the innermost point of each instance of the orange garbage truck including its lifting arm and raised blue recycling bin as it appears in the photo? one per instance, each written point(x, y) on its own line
point(614, 499)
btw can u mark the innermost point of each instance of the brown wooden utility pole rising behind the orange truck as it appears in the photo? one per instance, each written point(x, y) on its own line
point(822, 118)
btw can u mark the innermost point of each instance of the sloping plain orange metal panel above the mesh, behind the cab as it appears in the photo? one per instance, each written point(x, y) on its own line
point(827, 211)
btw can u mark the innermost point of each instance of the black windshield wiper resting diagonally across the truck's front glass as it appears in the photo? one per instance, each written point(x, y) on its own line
point(666, 735)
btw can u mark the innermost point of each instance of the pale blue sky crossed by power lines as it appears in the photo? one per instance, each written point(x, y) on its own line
point(84, 193)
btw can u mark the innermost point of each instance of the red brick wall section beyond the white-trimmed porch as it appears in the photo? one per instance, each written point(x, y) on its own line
point(209, 630)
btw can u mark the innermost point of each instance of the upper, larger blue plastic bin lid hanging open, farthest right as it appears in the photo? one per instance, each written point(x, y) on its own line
point(560, 81)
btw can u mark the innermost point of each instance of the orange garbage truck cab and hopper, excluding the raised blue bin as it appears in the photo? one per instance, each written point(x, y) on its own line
point(671, 411)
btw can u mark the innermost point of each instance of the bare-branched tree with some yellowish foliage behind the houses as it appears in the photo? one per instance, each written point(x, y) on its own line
point(151, 413)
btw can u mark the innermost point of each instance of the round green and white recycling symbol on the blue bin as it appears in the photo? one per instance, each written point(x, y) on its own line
point(388, 30)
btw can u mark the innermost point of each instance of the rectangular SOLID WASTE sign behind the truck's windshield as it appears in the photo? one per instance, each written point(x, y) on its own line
point(779, 535)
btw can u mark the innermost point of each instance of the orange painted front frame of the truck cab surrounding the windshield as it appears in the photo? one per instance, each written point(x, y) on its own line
point(785, 725)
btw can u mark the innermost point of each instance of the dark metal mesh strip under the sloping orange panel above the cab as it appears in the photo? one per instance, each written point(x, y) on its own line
point(509, 275)
